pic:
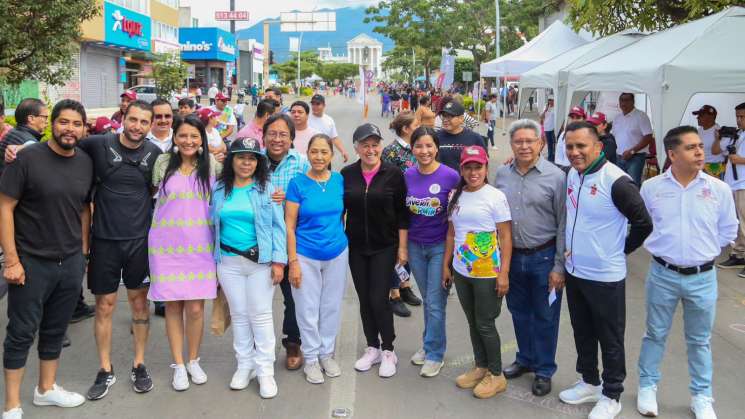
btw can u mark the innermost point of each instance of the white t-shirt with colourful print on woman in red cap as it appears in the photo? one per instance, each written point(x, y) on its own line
point(476, 250)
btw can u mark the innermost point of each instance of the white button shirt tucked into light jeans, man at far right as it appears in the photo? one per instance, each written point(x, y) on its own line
point(692, 223)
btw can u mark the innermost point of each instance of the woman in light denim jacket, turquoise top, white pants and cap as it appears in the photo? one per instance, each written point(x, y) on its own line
point(251, 253)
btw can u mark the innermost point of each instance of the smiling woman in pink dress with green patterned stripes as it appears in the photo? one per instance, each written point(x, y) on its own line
point(182, 269)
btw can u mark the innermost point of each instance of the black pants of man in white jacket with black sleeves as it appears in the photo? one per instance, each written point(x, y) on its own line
point(598, 314)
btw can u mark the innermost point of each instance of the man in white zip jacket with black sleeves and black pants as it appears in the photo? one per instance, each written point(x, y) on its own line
point(601, 201)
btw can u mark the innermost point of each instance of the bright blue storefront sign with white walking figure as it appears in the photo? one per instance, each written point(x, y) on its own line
point(126, 28)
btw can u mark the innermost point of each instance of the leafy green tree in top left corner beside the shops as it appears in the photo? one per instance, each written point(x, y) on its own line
point(38, 39)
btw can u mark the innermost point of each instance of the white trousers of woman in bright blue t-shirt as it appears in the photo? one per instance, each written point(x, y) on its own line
point(318, 304)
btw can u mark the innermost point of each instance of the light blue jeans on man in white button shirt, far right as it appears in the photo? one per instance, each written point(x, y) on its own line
point(698, 293)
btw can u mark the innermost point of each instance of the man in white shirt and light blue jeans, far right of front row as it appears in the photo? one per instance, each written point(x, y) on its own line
point(694, 217)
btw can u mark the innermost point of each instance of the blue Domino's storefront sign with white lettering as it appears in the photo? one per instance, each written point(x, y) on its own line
point(207, 44)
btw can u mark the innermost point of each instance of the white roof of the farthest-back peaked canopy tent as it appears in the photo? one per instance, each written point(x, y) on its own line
point(556, 39)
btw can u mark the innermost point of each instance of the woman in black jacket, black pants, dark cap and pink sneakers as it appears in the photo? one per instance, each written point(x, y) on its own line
point(377, 222)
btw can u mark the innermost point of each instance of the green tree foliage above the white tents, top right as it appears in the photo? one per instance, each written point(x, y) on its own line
point(605, 17)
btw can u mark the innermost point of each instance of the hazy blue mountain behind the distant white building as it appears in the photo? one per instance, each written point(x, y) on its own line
point(349, 23)
